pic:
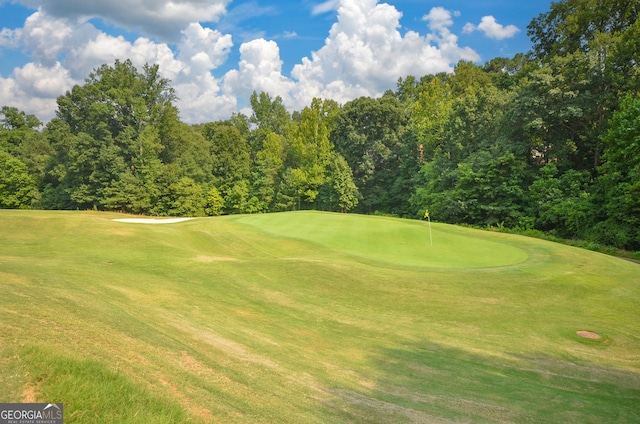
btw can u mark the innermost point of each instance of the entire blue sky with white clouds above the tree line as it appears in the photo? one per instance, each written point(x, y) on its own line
point(216, 52)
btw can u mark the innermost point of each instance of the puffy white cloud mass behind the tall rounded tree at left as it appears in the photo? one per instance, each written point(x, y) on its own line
point(65, 51)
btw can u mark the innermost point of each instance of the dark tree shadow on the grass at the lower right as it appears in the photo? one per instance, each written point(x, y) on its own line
point(435, 384)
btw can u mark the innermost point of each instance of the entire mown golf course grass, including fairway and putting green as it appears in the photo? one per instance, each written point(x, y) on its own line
point(312, 317)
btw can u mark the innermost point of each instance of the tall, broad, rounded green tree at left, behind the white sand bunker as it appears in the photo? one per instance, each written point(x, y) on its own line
point(108, 139)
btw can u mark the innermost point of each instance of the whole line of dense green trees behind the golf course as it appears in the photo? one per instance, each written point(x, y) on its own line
point(548, 140)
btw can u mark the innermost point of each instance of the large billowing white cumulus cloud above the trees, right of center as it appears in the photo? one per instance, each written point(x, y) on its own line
point(365, 53)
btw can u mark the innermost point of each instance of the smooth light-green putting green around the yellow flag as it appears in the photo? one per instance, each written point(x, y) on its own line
point(392, 242)
